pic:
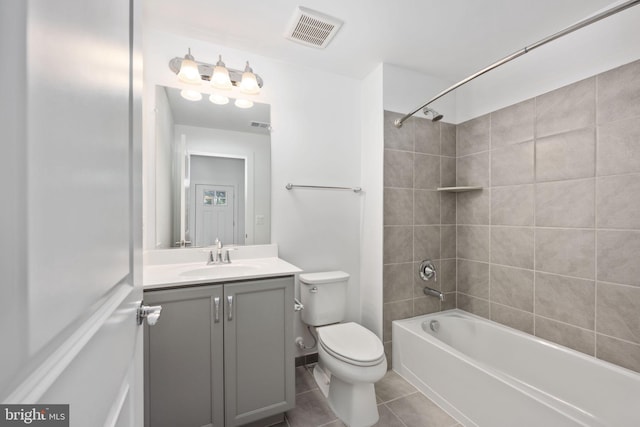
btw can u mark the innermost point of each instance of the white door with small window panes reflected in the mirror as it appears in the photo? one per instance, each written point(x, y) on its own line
point(215, 214)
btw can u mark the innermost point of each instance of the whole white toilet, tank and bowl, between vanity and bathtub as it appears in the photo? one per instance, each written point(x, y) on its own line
point(350, 357)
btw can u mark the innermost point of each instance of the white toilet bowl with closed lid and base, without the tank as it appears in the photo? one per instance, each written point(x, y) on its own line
point(352, 360)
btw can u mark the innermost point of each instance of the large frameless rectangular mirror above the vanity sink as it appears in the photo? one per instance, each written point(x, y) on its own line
point(213, 172)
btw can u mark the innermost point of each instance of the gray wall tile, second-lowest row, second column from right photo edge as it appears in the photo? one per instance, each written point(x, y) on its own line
point(566, 299)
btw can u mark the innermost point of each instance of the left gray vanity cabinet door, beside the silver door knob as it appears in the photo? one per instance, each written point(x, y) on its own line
point(184, 359)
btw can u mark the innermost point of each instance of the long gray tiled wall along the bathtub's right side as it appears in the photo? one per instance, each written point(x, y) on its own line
point(551, 245)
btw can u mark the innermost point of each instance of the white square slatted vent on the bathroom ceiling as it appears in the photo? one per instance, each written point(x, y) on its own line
point(312, 28)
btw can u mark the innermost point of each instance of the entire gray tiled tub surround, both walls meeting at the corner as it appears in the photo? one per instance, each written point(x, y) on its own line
point(551, 245)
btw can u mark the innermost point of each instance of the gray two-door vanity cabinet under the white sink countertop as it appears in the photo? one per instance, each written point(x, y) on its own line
point(220, 354)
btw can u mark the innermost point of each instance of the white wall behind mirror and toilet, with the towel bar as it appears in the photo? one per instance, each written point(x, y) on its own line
point(316, 139)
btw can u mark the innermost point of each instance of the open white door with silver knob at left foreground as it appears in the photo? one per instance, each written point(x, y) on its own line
point(71, 216)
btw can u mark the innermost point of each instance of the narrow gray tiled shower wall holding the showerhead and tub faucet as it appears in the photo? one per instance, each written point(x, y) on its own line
point(419, 222)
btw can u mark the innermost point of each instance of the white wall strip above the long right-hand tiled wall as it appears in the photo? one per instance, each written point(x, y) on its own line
point(591, 50)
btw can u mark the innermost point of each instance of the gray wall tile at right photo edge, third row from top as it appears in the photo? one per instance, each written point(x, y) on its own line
point(619, 201)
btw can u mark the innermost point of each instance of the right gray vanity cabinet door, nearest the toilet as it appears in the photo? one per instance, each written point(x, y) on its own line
point(258, 347)
